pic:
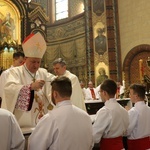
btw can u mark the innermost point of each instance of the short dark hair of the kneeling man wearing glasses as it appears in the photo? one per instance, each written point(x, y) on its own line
point(109, 86)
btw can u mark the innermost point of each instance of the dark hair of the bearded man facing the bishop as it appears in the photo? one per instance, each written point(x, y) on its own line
point(62, 85)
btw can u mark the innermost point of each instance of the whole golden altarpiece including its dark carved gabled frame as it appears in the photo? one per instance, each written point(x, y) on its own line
point(17, 20)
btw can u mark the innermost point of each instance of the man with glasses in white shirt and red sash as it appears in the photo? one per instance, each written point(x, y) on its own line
point(111, 121)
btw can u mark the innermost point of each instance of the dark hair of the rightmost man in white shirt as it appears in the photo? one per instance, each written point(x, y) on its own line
point(139, 89)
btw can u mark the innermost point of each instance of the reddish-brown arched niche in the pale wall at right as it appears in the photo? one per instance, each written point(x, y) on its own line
point(131, 63)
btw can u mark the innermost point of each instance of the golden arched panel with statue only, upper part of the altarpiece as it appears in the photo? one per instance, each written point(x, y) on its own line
point(9, 21)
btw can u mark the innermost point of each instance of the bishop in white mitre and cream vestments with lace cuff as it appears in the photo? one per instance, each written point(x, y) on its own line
point(26, 92)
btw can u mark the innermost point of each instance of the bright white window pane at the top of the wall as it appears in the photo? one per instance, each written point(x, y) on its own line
point(61, 9)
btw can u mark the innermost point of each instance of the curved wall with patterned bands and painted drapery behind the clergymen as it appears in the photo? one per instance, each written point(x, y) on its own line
point(68, 41)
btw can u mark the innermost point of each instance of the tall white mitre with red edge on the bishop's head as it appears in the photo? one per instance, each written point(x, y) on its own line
point(34, 45)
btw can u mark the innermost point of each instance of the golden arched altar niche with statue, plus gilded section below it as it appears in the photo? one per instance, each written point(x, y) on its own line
point(9, 32)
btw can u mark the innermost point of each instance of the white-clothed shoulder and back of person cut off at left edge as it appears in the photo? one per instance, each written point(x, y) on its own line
point(11, 135)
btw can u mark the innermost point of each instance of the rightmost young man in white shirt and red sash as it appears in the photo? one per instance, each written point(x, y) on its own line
point(139, 116)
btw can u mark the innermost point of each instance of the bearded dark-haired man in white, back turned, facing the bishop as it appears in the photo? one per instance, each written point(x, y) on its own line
point(66, 127)
